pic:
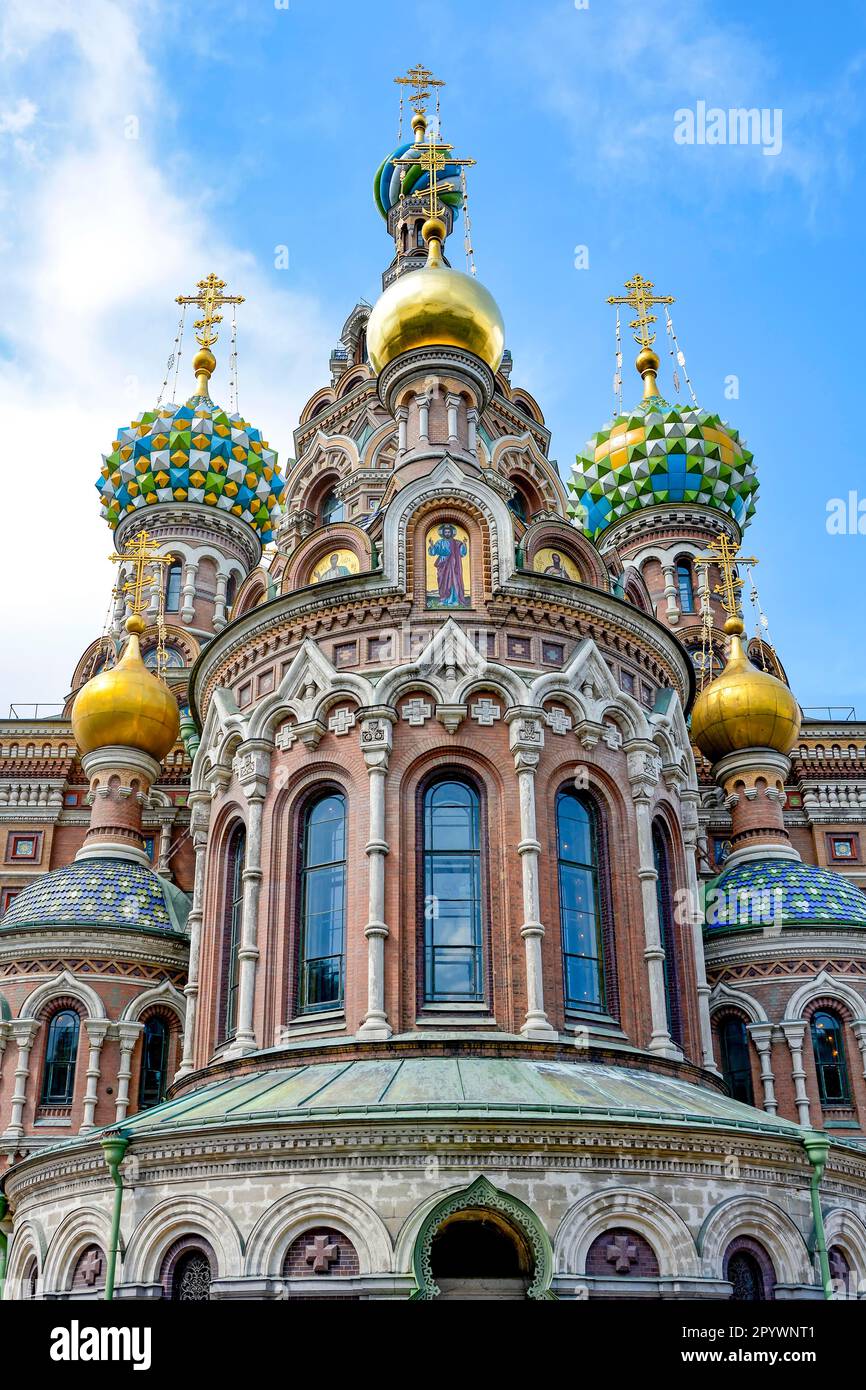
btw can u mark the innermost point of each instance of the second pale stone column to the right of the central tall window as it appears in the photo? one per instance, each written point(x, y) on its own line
point(644, 776)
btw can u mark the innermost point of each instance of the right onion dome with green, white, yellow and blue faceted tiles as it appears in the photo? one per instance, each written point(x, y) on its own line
point(661, 454)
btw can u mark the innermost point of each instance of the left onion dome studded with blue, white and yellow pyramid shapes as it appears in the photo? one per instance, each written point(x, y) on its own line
point(193, 454)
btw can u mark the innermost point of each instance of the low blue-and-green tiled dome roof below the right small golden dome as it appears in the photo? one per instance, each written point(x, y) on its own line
point(808, 896)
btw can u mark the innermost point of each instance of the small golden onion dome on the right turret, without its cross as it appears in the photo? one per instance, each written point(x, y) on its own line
point(744, 708)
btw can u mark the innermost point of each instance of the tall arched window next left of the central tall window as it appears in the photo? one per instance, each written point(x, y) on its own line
point(323, 904)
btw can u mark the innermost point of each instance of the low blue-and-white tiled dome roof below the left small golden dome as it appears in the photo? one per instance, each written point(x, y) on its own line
point(99, 893)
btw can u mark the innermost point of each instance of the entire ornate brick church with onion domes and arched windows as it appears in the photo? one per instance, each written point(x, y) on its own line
point(427, 889)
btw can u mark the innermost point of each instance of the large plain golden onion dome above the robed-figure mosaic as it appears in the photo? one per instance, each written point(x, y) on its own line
point(436, 306)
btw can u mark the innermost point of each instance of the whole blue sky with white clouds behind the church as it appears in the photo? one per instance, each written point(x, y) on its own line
point(261, 127)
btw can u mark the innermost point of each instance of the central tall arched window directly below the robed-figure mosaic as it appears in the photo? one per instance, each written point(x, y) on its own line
point(454, 956)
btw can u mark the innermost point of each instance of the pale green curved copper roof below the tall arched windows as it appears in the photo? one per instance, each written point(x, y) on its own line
point(452, 1088)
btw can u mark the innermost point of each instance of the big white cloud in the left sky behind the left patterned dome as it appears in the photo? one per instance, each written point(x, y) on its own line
point(101, 236)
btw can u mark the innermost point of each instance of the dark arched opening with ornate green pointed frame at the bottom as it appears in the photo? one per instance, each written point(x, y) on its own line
point(482, 1243)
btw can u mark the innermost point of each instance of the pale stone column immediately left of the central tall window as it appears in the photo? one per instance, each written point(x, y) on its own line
point(377, 742)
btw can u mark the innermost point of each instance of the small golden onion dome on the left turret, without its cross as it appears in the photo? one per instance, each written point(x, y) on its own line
point(127, 705)
